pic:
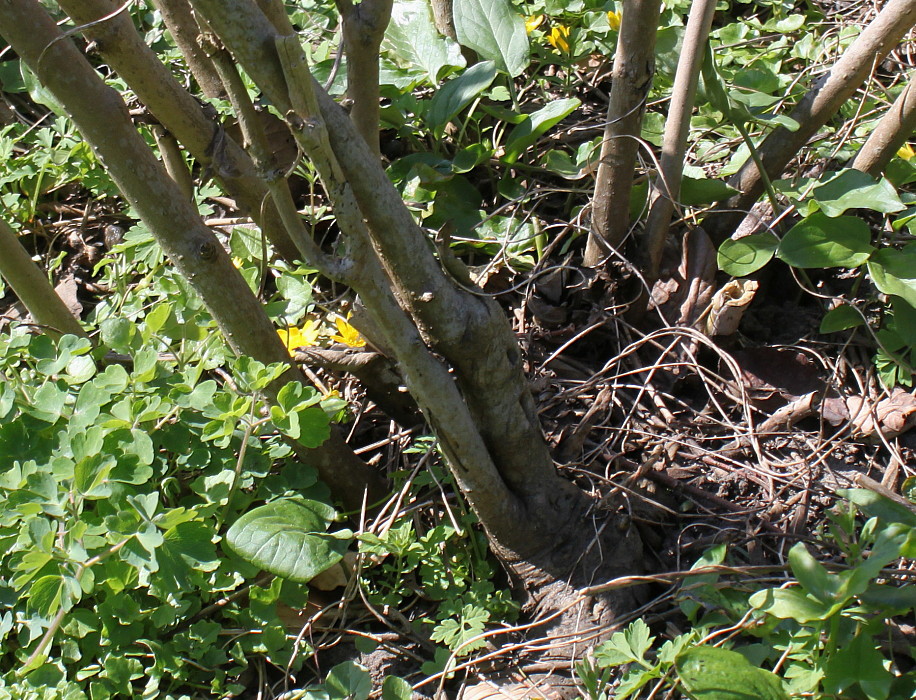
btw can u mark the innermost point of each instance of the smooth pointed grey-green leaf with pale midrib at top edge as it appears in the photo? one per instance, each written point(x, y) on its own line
point(495, 31)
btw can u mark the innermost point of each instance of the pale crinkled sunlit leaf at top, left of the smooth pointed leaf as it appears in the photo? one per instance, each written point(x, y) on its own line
point(413, 40)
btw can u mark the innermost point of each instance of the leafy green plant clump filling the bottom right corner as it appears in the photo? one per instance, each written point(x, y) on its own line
point(822, 630)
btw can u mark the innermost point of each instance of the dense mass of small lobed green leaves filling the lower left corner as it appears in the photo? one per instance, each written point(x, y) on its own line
point(116, 480)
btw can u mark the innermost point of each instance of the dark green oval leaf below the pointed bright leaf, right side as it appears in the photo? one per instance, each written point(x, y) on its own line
point(822, 241)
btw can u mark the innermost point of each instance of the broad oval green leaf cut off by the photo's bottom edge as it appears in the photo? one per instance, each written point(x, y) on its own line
point(710, 673)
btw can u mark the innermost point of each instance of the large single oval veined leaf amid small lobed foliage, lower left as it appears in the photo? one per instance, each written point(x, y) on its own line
point(288, 538)
